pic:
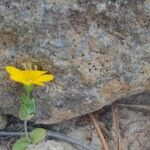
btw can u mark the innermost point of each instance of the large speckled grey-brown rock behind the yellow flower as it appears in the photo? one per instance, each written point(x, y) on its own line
point(98, 50)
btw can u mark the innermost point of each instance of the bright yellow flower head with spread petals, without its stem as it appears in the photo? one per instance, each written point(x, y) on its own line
point(29, 77)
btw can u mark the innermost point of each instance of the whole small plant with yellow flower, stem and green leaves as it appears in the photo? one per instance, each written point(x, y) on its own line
point(28, 78)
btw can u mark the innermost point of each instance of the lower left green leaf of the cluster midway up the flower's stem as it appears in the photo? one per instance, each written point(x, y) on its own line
point(24, 114)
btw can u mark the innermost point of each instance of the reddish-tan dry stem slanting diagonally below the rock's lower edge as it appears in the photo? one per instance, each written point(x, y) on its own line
point(99, 132)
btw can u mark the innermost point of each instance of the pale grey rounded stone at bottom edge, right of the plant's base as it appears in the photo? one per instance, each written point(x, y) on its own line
point(51, 145)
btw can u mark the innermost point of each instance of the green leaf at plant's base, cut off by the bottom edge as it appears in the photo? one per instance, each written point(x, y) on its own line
point(21, 144)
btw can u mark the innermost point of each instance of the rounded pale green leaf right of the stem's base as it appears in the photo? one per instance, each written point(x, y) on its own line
point(38, 135)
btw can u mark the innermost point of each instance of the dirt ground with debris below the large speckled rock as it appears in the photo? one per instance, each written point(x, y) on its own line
point(133, 121)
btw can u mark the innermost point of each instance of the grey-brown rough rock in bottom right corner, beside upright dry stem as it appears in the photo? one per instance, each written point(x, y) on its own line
point(135, 128)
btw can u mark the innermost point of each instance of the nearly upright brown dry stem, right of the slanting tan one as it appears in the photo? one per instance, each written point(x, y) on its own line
point(117, 129)
